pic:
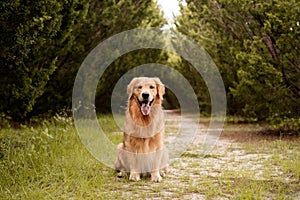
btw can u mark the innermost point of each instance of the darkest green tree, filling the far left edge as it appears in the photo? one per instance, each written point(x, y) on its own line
point(33, 37)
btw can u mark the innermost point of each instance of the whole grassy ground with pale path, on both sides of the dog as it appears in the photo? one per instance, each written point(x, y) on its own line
point(48, 161)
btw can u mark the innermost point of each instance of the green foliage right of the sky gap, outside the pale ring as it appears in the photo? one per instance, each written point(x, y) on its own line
point(254, 44)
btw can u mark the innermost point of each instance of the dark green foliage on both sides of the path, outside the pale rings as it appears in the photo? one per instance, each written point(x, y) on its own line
point(254, 44)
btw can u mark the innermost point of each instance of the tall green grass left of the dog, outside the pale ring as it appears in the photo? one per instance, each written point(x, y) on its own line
point(48, 160)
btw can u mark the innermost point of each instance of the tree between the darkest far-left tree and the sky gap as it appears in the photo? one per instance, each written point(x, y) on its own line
point(105, 18)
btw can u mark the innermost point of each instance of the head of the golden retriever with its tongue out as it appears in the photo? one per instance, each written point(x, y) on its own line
point(146, 91)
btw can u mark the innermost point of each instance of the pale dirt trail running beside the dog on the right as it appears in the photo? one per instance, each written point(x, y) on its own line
point(228, 155)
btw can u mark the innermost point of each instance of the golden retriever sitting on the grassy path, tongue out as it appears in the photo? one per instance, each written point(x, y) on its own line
point(142, 150)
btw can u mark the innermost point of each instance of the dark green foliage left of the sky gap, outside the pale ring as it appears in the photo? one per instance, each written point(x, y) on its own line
point(44, 43)
